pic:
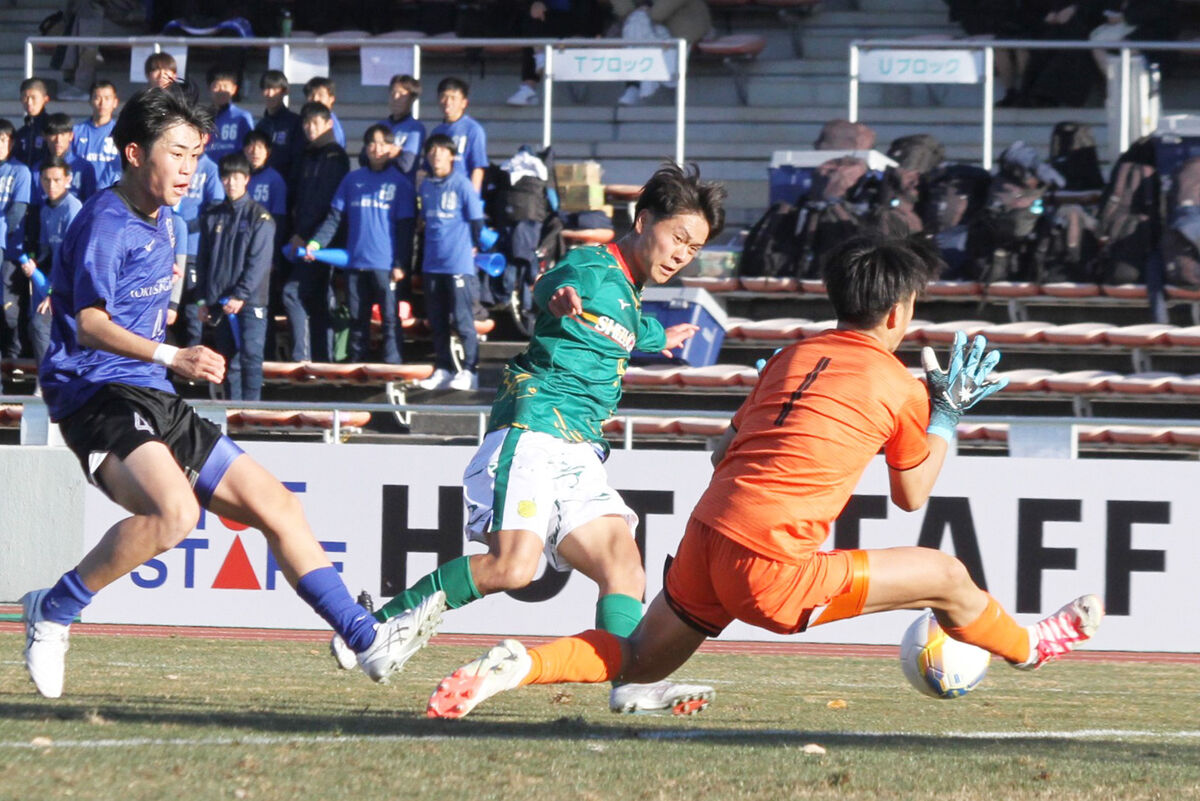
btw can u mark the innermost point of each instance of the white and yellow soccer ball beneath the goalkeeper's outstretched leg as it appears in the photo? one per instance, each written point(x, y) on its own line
point(937, 664)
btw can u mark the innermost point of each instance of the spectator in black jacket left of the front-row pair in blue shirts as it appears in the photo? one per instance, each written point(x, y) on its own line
point(322, 168)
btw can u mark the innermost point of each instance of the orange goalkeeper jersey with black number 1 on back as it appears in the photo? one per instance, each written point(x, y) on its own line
point(820, 412)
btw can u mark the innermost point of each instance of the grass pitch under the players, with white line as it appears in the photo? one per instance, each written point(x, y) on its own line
point(195, 719)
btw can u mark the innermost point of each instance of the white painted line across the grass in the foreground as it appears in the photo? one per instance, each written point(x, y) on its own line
point(689, 734)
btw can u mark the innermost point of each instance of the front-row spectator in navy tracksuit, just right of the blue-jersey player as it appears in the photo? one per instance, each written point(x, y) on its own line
point(233, 269)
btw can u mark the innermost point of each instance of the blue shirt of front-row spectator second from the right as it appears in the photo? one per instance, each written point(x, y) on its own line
point(373, 203)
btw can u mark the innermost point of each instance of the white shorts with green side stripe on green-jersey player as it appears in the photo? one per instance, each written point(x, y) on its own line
point(537, 483)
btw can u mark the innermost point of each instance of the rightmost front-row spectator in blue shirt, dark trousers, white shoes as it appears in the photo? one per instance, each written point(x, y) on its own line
point(454, 220)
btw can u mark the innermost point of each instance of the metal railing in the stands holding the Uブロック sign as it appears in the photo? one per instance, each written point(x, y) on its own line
point(989, 49)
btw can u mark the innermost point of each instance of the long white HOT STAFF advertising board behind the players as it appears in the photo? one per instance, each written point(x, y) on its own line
point(1036, 533)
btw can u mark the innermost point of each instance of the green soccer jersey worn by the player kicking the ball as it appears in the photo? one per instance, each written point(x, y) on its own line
point(568, 381)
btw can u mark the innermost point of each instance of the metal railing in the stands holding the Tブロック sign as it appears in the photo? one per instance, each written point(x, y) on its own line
point(418, 47)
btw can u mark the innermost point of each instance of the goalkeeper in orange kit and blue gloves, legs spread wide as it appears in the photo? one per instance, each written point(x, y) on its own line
point(785, 469)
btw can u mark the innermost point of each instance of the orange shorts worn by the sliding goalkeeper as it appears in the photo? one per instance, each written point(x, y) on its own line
point(715, 581)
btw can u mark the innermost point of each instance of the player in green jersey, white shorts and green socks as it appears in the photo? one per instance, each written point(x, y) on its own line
point(538, 485)
